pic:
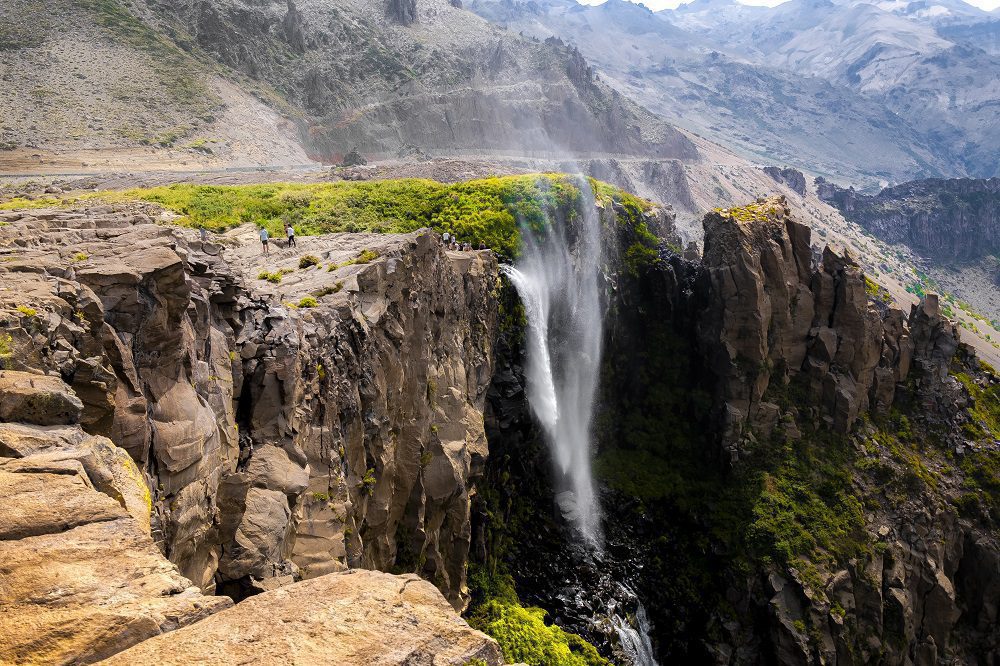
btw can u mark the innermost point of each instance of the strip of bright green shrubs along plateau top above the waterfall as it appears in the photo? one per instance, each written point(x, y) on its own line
point(488, 211)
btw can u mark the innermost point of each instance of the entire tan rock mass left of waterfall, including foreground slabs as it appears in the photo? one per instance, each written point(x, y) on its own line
point(179, 418)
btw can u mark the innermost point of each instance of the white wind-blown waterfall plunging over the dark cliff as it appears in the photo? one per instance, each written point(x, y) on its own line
point(558, 281)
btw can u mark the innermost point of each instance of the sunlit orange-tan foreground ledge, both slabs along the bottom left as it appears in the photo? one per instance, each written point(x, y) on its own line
point(83, 581)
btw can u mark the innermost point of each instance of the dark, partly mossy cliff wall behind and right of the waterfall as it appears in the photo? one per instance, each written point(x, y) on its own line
point(840, 521)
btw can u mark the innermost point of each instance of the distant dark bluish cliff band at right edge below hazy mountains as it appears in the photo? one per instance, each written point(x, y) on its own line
point(948, 220)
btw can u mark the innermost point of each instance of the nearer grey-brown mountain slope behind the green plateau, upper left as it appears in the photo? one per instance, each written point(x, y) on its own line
point(362, 74)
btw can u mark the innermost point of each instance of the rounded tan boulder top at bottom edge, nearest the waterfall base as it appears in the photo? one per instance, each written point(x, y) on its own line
point(358, 618)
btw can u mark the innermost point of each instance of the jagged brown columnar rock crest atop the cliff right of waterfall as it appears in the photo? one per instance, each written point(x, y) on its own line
point(777, 319)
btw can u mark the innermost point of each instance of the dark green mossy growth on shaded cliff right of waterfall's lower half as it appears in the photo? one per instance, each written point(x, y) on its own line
point(792, 502)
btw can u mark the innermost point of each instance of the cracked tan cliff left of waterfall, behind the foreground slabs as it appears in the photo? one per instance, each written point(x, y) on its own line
point(278, 441)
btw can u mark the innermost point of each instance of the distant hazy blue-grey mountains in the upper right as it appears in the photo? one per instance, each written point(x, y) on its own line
point(868, 92)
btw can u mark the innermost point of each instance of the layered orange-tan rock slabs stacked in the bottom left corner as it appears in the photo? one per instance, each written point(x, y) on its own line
point(80, 577)
